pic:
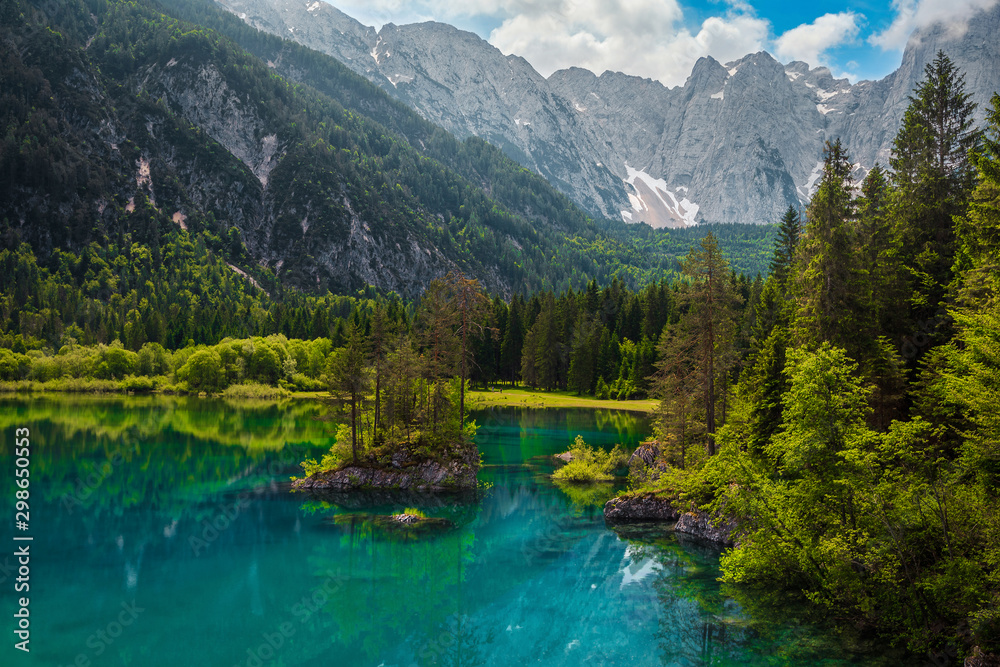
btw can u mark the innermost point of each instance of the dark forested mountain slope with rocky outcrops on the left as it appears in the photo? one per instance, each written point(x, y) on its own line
point(129, 122)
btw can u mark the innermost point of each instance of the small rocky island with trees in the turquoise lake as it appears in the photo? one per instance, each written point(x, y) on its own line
point(403, 415)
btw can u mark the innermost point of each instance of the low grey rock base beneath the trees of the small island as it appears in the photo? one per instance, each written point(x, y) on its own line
point(403, 471)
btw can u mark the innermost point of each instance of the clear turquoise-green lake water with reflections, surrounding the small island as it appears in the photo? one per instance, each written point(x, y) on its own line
point(165, 535)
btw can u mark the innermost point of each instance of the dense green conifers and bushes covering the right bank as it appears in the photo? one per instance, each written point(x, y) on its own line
point(859, 457)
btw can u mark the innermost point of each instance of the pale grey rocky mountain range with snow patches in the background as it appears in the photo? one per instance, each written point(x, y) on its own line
point(738, 142)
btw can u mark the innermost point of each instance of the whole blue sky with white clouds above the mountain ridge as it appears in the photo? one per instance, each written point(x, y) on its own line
point(661, 39)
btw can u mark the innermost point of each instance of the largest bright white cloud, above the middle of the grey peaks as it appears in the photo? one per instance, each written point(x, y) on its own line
point(640, 37)
